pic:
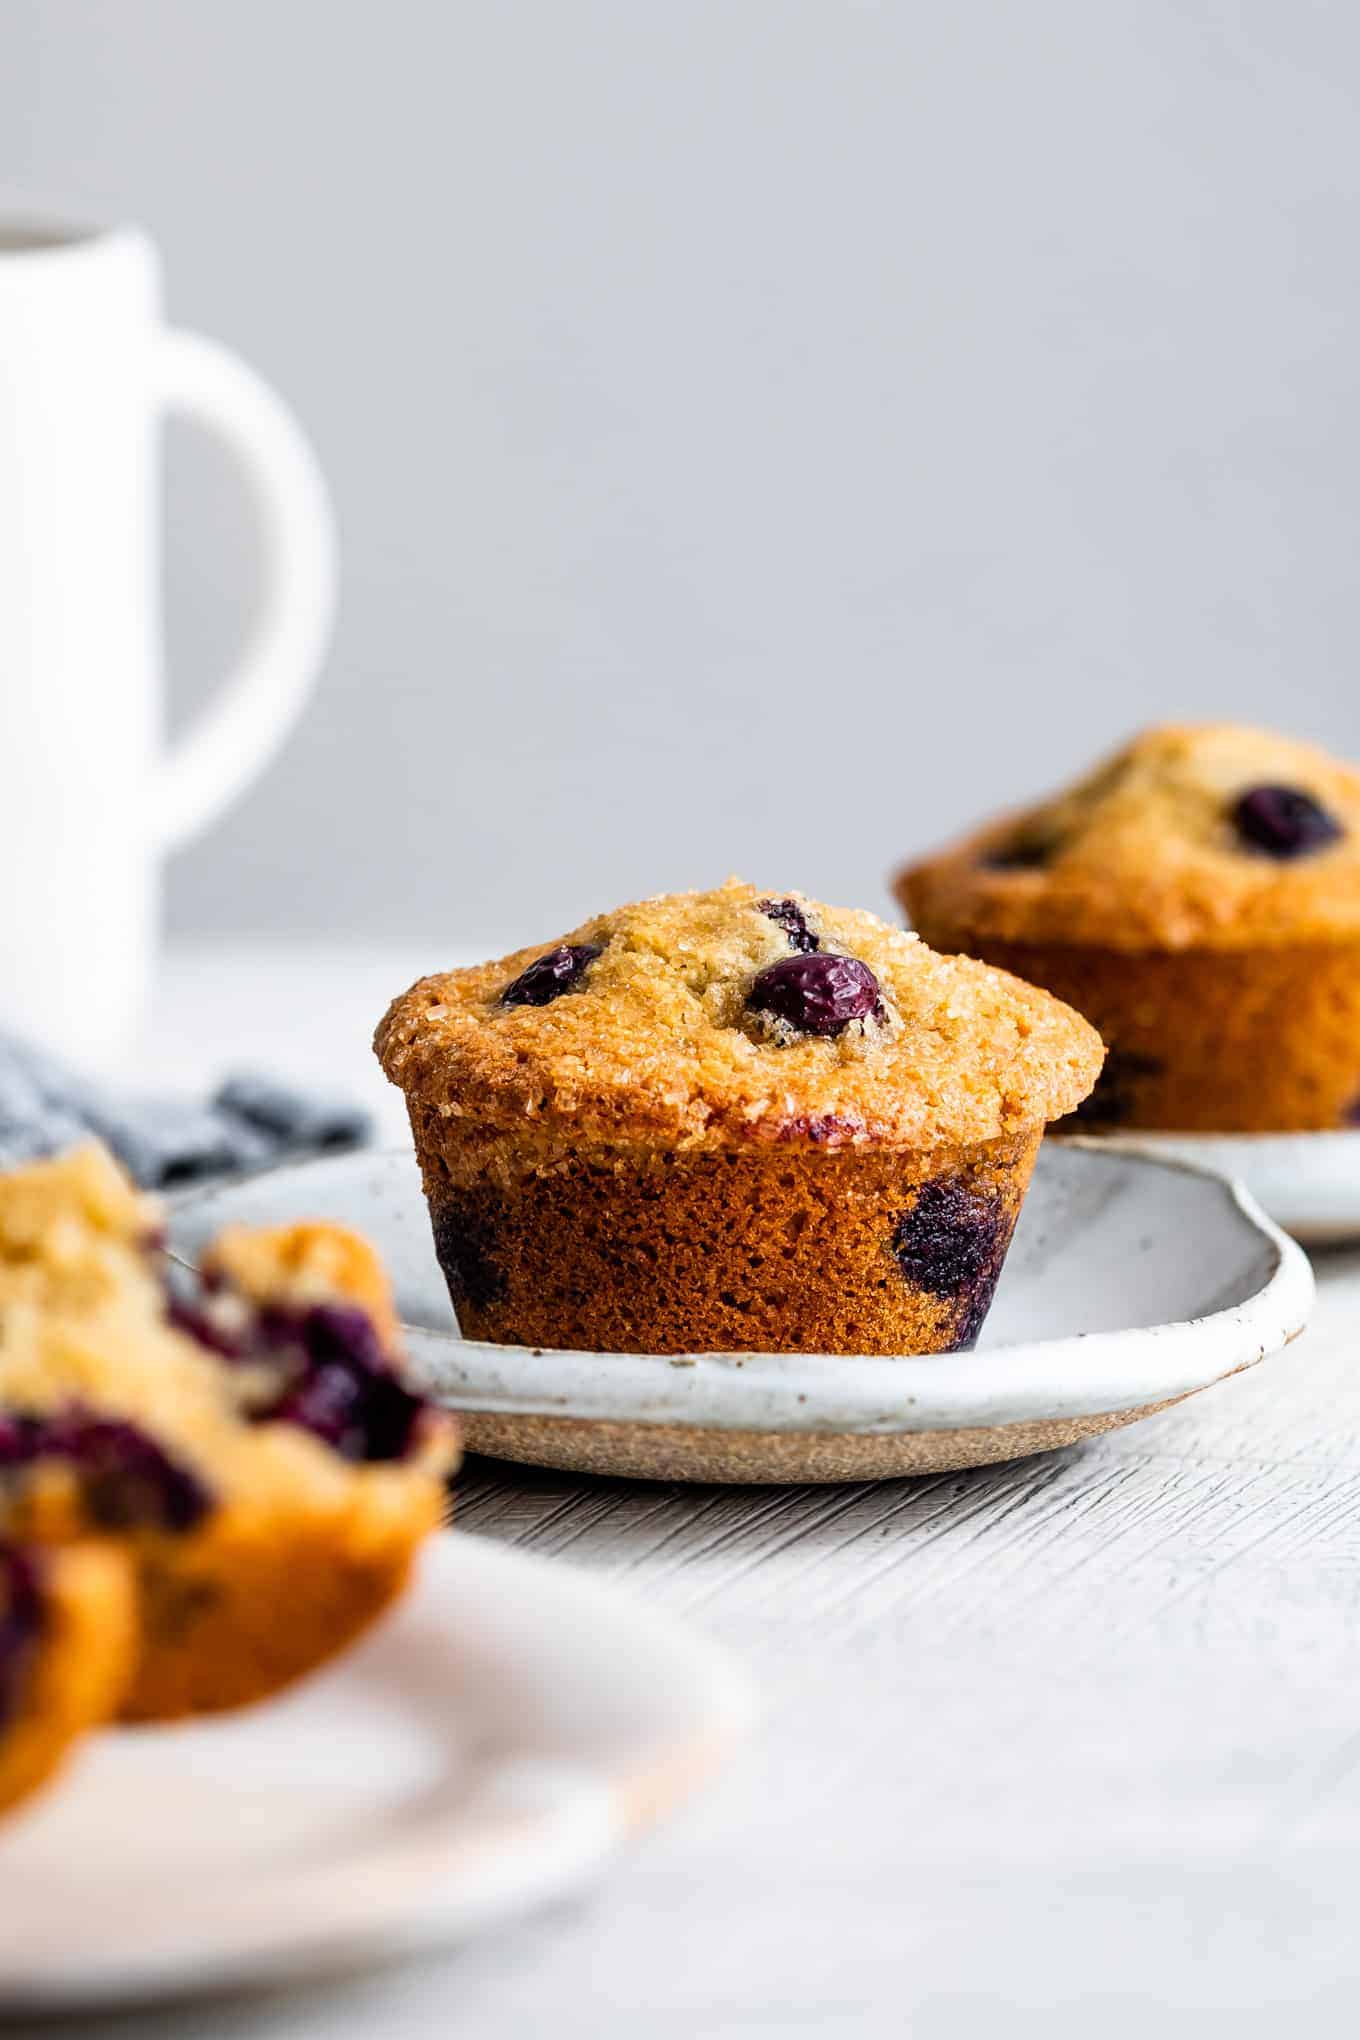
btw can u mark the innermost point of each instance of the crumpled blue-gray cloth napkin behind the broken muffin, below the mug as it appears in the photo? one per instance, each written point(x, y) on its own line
point(164, 1141)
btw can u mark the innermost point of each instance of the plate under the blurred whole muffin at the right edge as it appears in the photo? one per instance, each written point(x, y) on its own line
point(1310, 1184)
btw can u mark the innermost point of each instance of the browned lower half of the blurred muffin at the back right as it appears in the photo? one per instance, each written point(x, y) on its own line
point(1210, 1041)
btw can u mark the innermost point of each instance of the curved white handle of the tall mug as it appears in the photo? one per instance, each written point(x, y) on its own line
point(256, 709)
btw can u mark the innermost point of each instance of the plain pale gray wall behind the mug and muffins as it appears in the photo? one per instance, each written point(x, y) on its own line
point(764, 433)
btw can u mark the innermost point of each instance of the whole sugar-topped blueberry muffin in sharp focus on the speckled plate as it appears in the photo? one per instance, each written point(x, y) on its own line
point(729, 1121)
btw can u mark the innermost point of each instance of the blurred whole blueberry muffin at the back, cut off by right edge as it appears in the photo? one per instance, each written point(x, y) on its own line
point(1200, 901)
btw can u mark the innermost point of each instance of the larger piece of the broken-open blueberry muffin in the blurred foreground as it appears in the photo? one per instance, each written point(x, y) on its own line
point(250, 1443)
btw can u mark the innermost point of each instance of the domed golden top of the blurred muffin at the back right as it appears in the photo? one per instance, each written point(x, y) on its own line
point(1192, 837)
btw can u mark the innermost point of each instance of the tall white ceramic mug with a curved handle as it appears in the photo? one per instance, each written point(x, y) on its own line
point(89, 799)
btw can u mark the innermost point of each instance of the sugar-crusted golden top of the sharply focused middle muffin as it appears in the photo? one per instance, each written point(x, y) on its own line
point(692, 1021)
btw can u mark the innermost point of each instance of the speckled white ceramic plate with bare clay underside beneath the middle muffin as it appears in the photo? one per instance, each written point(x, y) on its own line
point(1131, 1284)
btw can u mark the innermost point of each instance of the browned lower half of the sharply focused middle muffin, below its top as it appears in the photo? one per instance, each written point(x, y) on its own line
point(733, 1252)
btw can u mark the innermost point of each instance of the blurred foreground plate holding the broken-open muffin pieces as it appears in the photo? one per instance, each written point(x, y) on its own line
point(486, 1749)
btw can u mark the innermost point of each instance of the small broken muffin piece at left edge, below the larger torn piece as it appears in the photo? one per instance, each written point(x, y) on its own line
point(68, 1637)
